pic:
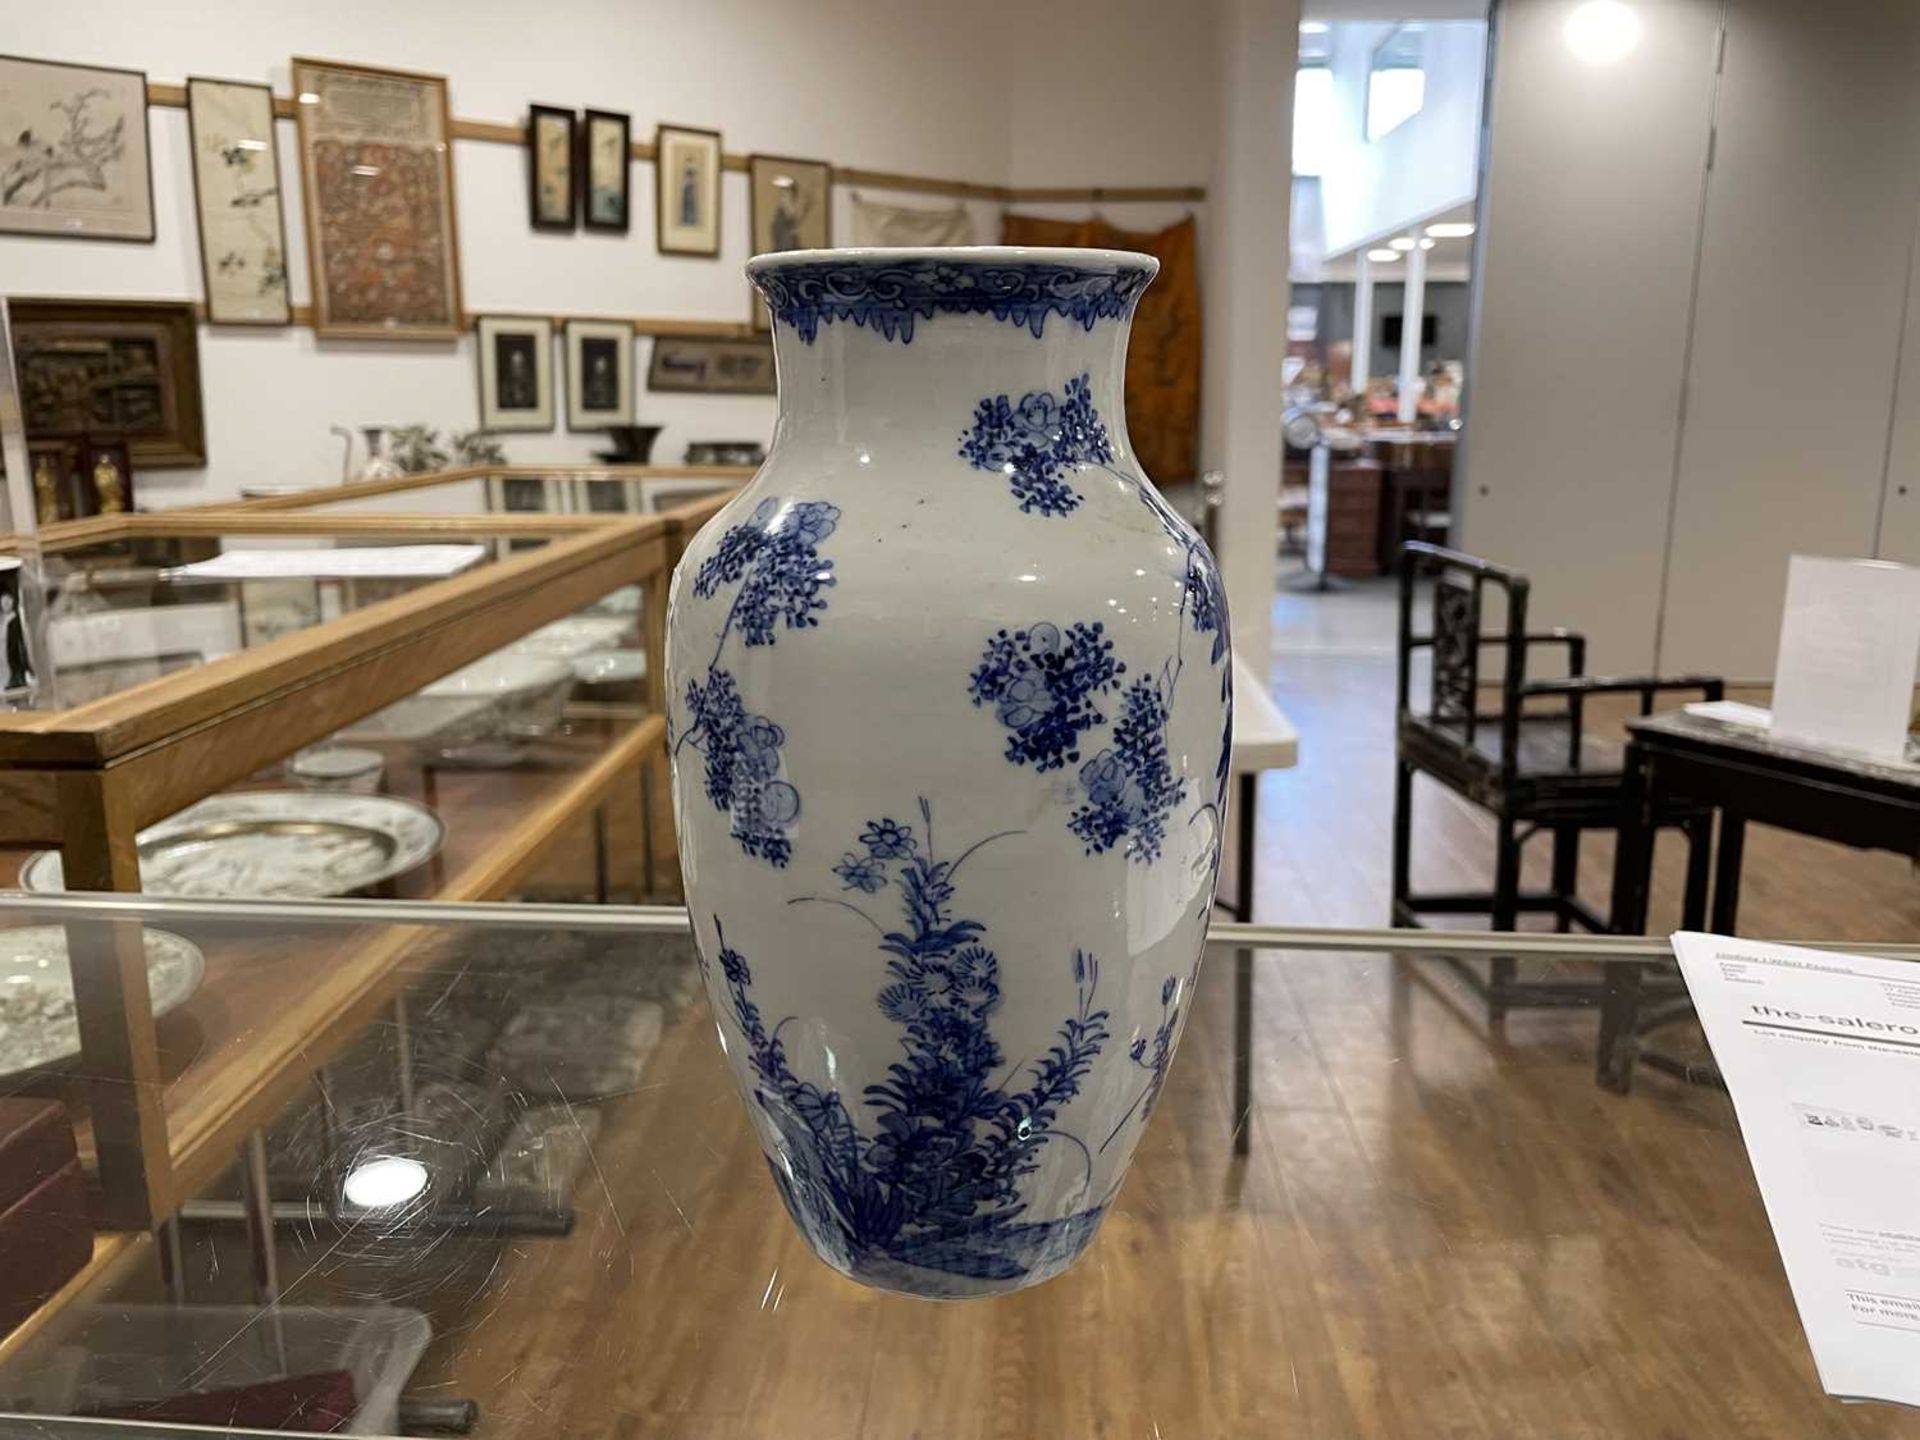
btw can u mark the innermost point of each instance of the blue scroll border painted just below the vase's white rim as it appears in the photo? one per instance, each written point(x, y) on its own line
point(894, 297)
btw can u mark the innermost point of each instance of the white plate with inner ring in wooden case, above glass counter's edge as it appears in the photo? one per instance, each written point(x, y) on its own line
point(281, 844)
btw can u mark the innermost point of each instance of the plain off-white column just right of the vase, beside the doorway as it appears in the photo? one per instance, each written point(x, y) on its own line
point(1255, 57)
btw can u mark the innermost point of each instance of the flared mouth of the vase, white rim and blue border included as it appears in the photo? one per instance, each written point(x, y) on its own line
point(892, 291)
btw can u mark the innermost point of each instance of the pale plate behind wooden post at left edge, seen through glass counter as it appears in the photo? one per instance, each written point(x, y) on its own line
point(37, 1022)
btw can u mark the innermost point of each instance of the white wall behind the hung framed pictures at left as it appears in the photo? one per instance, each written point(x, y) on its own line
point(853, 82)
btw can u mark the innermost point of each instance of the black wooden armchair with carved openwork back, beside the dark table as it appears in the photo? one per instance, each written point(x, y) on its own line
point(1527, 759)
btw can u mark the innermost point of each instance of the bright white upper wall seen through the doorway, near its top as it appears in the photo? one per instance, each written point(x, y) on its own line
point(1422, 168)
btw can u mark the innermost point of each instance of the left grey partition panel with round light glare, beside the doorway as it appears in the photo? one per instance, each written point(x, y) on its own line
point(1589, 224)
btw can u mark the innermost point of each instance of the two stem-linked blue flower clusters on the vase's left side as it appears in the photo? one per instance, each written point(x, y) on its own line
point(775, 558)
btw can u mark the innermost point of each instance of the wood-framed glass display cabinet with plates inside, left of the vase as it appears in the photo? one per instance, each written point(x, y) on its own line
point(314, 706)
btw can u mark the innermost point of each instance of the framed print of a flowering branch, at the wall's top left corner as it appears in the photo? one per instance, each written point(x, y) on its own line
point(74, 158)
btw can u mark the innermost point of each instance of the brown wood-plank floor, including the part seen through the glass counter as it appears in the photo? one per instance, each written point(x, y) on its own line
point(1439, 1232)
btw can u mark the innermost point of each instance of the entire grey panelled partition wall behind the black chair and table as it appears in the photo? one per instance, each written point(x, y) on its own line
point(1687, 373)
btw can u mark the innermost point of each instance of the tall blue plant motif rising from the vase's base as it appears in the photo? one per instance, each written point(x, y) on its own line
point(934, 1184)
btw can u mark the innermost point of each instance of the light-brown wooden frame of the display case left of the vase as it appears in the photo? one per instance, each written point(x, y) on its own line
point(93, 777)
